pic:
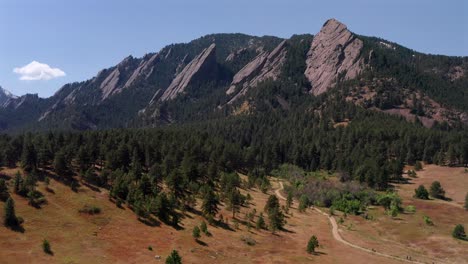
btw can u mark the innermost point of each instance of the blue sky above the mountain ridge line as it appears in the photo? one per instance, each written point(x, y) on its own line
point(73, 40)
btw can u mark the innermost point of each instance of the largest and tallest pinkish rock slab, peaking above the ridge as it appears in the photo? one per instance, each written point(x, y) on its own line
point(334, 52)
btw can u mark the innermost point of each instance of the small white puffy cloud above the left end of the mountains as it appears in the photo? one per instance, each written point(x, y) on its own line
point(38, 71)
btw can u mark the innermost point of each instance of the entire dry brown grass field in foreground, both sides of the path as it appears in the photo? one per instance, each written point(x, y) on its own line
point(116, 235)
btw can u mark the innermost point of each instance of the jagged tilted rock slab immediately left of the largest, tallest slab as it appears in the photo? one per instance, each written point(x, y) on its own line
point(267, 65)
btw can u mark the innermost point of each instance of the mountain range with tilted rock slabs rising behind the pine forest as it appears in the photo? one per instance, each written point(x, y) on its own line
point(222, 75)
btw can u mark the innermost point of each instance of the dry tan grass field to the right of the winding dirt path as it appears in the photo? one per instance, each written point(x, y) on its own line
point(408, 234)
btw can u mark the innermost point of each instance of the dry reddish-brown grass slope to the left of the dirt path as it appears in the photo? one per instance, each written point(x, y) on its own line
point(116, 236)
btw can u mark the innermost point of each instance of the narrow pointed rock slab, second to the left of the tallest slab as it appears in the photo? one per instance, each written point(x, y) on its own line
point(203, 64)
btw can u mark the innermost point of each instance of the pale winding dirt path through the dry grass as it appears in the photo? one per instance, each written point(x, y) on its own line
point(337, 236)
